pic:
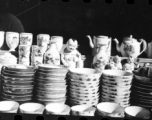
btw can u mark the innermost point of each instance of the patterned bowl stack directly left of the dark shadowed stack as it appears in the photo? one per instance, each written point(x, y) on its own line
point(115, 87)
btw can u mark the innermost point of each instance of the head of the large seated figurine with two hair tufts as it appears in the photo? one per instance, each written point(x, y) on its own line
point(72, 45)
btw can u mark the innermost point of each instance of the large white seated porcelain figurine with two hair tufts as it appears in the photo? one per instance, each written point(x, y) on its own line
point(70, 56)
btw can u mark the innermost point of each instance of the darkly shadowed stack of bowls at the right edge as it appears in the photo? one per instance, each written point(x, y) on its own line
point(142, 91)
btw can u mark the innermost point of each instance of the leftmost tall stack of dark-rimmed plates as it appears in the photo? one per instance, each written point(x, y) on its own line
point(17, 83)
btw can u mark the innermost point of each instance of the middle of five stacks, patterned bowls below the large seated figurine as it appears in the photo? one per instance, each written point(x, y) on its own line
point(83, 86)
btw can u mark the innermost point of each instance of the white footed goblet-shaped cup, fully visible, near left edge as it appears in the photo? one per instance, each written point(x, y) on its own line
point(12, 40)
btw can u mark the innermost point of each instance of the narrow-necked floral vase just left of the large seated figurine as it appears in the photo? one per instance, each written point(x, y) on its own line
point(52, 55)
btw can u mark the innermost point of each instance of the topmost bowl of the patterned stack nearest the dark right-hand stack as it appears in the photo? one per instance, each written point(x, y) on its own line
point(117, 74)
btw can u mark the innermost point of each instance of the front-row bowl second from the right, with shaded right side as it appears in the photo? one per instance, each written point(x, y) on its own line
point(108, 109)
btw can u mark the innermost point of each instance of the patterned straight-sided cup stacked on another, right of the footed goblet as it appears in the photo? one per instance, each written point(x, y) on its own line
point(26, 38)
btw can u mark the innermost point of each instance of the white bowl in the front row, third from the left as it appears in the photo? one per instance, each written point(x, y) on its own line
point(57, 109)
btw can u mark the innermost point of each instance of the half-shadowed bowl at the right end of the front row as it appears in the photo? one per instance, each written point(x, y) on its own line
point(137, 112)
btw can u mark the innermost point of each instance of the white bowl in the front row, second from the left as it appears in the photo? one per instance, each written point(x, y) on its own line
point(32, 108)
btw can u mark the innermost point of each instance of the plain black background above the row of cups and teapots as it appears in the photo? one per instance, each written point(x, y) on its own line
point(77, 19)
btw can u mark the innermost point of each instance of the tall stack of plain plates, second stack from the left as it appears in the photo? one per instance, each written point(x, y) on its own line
point(51, 84)
